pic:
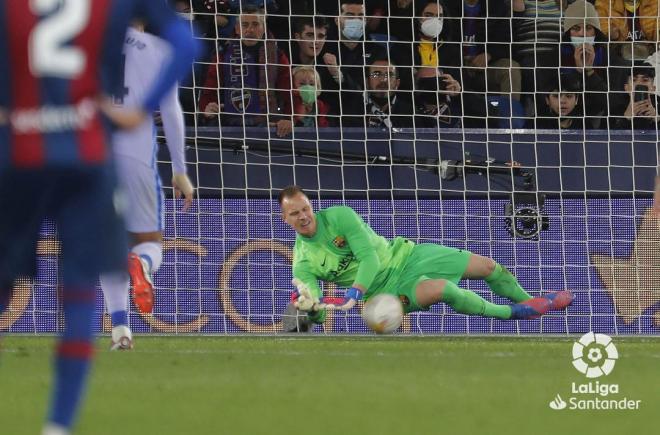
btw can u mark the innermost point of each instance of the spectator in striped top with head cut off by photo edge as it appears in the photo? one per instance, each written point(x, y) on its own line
point(535, 43)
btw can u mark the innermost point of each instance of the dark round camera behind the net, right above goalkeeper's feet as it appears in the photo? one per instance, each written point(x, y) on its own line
point(525, 217)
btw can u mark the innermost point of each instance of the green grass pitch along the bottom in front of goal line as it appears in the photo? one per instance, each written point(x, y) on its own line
point(332, 385)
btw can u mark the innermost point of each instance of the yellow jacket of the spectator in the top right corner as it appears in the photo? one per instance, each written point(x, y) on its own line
point(613, 13)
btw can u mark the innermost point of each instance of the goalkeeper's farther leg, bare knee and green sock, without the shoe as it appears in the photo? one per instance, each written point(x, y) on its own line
point(499, 279)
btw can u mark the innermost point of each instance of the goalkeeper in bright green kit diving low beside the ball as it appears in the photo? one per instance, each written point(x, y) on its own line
point(336, 245)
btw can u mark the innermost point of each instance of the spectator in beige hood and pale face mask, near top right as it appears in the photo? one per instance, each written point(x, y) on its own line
point(584, 51)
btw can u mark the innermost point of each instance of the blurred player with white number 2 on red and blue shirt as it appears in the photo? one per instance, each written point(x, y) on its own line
point(59, 57)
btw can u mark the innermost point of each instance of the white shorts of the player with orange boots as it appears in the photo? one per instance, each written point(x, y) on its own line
point(143, 195)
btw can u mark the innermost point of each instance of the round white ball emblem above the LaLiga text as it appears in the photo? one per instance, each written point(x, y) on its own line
point(594, 355)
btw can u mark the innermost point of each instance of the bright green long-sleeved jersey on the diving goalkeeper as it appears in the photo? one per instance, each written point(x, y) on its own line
point(345, 250)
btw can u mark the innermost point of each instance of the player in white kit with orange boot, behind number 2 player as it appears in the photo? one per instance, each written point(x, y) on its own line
point(135, 157)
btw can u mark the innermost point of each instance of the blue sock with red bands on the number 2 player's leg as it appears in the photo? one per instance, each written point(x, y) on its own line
point(73, 355)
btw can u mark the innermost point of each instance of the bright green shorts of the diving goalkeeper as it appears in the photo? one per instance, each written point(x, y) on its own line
point(428, 261)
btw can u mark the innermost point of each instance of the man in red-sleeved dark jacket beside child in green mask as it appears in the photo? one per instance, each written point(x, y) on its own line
point(250, 83)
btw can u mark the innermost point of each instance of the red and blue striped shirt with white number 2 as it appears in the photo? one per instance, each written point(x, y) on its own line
point(62, 56)
